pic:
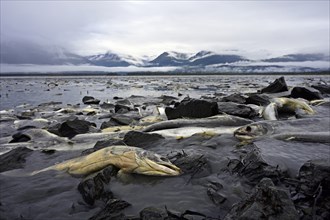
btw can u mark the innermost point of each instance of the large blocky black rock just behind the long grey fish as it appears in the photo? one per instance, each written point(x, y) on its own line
point(192, 108)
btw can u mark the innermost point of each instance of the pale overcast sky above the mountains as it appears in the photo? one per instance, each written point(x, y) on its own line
point(149, 28)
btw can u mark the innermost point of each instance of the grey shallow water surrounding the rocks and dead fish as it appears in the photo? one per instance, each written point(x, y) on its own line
point(54, 195)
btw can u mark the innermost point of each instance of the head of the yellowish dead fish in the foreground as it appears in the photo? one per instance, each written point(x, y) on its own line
point(153, 164)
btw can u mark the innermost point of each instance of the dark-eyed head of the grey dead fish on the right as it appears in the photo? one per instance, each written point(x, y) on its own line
point(250, 132)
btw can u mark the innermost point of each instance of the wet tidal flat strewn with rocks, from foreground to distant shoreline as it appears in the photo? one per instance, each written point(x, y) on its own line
point(47, 120)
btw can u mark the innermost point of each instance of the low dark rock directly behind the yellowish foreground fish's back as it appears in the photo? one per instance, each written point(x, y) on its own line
point(141, 139)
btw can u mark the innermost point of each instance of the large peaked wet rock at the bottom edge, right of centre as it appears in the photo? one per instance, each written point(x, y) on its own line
point(266, 202)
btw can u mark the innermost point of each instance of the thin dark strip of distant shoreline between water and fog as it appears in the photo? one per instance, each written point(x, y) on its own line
point(25, 74)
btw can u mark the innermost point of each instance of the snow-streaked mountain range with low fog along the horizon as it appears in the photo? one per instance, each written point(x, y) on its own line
point(20, 53)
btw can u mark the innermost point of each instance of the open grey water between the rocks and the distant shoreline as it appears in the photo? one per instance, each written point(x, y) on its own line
point(16, 91)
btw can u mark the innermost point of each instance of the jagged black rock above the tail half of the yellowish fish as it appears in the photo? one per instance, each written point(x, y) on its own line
point(71, 128)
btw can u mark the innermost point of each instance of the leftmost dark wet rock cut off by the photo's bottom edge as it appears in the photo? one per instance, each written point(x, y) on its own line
point(112, 210)
